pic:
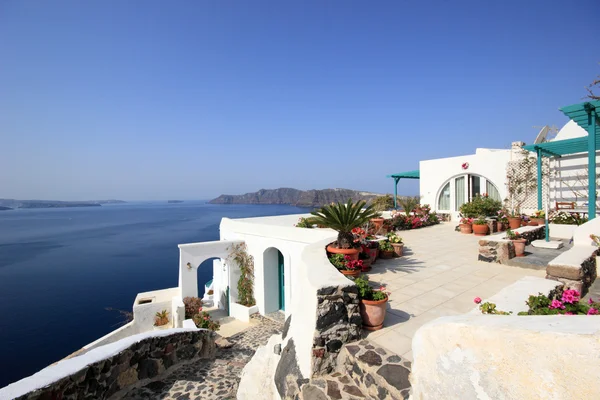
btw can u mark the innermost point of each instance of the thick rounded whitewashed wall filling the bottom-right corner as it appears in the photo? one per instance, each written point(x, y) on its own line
point(506, 357)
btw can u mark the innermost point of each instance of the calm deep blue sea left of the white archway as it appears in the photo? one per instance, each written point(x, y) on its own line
point(61, 268)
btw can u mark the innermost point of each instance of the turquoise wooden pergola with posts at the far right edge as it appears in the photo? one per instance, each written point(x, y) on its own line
point(586, 115)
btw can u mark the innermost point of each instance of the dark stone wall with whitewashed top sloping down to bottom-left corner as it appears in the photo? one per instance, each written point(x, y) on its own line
point(138, 363)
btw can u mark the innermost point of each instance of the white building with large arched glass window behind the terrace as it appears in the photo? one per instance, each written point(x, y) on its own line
point(447, 183)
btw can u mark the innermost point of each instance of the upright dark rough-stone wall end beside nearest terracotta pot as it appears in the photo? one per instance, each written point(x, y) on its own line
point(338, 322)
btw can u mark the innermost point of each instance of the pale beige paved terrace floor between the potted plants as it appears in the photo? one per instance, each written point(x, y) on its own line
point(439, 275)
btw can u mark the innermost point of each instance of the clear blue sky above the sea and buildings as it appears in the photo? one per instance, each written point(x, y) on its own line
point(148, 100)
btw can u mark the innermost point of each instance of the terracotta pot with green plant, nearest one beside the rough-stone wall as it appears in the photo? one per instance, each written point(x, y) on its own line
point(372, 304)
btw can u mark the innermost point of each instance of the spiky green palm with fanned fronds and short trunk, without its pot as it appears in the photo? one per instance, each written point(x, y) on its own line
point(343, 218)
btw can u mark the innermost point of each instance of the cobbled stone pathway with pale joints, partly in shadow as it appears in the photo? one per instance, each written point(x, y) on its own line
point(214, 379)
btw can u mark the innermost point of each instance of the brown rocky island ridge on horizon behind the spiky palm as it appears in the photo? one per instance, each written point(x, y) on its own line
point(295, 197)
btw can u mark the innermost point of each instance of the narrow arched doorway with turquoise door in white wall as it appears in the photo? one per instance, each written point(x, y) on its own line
point(274, 278)
